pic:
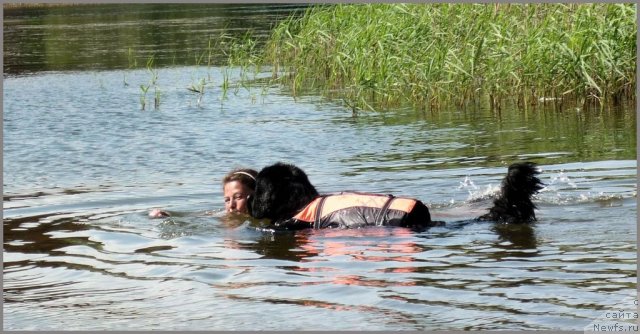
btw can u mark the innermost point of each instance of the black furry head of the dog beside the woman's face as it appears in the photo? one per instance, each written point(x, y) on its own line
point(281, 191)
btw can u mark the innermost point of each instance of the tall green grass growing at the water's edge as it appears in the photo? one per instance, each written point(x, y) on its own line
point(379, 55)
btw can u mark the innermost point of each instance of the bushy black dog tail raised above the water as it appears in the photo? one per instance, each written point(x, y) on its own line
point(514, 204)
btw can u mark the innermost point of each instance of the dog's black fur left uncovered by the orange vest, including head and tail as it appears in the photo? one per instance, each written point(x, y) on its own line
point(282, 190)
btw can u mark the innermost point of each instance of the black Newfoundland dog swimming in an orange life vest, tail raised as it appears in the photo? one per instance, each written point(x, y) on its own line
point(284, 195)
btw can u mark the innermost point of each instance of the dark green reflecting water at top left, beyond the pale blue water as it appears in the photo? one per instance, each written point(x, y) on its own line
point(120, 36)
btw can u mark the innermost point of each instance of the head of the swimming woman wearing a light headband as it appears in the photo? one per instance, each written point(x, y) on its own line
point(236, 187)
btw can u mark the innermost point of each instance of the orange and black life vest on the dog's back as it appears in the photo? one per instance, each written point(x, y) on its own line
point(352, 210)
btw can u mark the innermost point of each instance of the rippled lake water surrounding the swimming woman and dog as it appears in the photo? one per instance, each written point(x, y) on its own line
point(83, 165)
